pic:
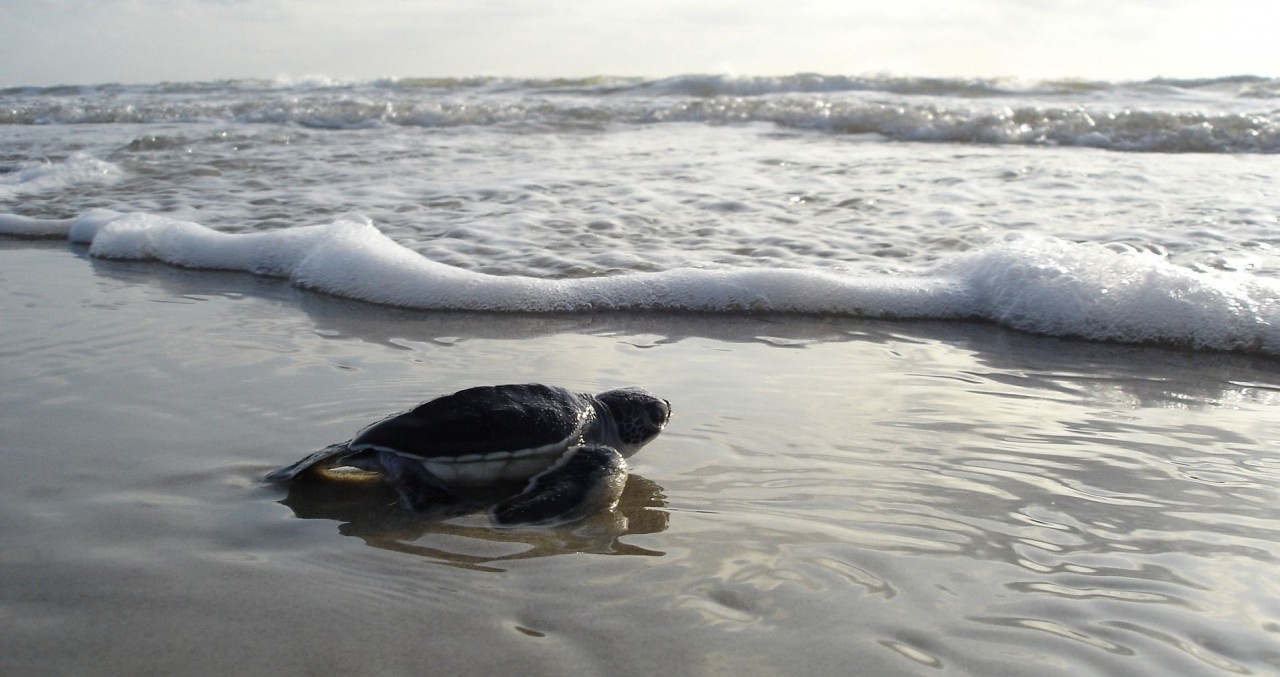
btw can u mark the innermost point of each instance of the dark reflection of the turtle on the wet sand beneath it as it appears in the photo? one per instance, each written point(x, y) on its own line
point(369, 510)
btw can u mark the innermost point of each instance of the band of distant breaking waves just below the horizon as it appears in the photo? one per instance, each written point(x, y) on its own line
point(1160, 116)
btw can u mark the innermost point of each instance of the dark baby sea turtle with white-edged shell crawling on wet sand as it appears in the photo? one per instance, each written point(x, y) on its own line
point(569, 447)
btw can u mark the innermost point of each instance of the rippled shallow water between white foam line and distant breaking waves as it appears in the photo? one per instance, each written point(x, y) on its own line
point(575, 203)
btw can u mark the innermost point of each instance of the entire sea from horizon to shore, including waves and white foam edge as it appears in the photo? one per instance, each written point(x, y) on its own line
point(1041, 207)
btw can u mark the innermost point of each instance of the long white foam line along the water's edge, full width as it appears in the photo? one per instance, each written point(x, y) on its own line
point(1037, 285)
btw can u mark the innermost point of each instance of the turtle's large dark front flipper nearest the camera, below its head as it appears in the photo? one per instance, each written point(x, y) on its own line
point(586, 481)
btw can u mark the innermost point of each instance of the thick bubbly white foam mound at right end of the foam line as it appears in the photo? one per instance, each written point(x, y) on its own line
point(1054, 287)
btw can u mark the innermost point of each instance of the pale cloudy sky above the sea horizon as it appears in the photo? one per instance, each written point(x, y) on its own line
point(47, 43)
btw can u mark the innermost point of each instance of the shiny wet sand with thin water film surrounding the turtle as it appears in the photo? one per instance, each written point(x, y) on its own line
point(833, 497)
